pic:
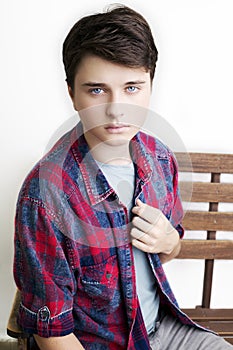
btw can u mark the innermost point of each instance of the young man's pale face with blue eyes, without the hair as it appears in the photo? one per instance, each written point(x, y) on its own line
point(111, 99)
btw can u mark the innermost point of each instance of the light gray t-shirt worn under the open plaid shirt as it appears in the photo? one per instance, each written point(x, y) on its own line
point(122, 178)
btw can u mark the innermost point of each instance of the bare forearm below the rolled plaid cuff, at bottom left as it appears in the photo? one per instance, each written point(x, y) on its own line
point(66, 342)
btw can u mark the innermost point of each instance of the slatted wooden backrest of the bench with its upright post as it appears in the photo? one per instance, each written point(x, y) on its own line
point(211, 220)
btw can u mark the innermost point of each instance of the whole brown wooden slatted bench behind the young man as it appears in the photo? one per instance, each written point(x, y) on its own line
point(211, 221)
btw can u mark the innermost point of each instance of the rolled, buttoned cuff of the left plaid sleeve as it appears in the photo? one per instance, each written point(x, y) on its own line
point(43, 324)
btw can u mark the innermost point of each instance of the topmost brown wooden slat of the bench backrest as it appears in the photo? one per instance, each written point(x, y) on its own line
point(205, 162)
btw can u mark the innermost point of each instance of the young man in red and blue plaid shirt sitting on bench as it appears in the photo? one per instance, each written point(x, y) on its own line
point(101, 212)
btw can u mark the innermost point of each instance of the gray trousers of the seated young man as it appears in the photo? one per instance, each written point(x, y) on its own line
point(172, 335)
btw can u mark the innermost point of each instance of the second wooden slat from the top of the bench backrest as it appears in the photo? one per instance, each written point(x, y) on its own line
point(203, 192)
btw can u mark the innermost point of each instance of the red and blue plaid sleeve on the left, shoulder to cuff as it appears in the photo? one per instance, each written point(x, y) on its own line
point(42, 271)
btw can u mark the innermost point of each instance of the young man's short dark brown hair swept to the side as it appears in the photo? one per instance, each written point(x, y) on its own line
point(119, 35)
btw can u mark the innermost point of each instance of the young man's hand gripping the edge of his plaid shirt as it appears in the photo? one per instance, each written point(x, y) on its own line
point(153, 233)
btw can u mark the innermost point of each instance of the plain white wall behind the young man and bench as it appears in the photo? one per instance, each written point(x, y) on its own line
point(192, 91)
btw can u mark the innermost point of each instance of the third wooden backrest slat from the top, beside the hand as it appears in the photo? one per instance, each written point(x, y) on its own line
point(208, 221)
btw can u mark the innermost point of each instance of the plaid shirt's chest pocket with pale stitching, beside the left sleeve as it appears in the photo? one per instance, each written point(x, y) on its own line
point(99, 286)
